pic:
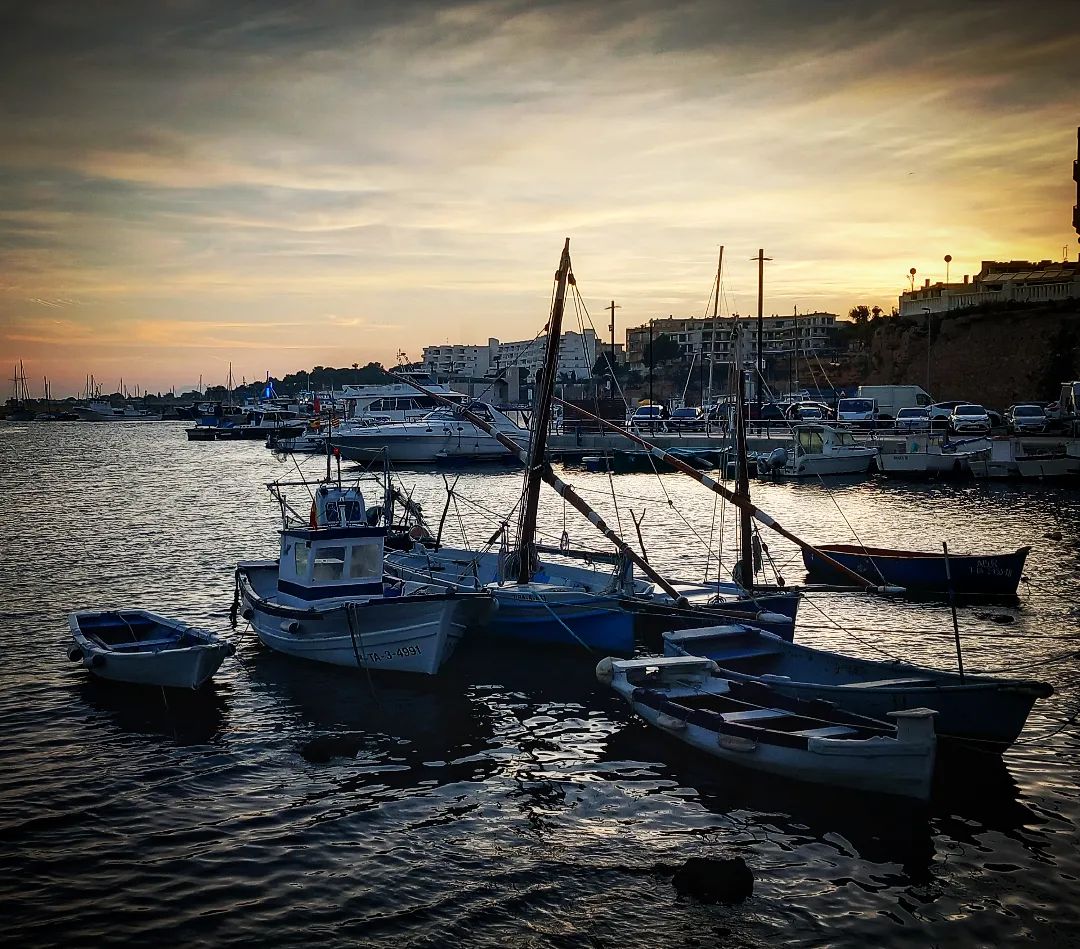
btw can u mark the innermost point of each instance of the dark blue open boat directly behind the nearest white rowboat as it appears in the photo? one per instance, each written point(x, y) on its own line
point(983, 711)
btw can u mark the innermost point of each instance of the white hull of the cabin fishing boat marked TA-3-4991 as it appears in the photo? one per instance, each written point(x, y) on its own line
point(414, 633)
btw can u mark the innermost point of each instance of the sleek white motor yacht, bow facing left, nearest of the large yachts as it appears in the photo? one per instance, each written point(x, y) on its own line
point(444, 435)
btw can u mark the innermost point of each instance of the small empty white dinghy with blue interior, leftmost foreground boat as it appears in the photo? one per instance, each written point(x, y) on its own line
point(146, 649)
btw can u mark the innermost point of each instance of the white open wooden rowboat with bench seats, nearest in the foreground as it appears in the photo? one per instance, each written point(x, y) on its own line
point(752, 726)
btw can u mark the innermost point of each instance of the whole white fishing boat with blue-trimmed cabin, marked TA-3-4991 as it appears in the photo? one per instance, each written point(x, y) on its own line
point(326, 599)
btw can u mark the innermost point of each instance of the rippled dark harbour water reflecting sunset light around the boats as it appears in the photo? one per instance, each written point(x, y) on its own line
point(512, 801)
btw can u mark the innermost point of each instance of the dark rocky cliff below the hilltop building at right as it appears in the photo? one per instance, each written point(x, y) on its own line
point(995, 357)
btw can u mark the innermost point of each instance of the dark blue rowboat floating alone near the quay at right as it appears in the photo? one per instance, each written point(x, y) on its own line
point(916, 571)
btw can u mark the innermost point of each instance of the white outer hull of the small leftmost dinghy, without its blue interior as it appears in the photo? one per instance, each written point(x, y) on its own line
point(177, 668)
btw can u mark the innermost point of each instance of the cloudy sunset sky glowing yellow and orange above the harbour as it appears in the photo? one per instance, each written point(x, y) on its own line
point(289, 185)
